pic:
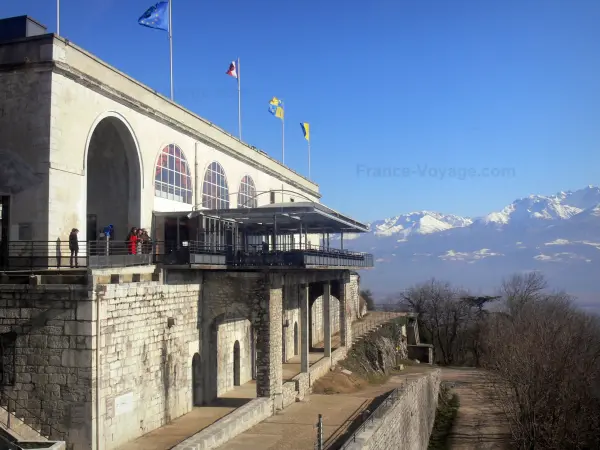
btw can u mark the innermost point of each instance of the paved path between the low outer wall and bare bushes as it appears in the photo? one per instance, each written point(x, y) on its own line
point(478, 425)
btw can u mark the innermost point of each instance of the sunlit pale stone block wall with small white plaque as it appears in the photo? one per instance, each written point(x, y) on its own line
point(148, 337)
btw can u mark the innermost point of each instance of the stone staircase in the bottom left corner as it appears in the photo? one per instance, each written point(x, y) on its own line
point(15, 434)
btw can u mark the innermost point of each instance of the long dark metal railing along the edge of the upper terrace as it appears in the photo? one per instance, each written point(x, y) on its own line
point(27, 255)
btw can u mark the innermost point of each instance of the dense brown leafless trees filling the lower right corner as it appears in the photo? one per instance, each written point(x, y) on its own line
point(543, 356)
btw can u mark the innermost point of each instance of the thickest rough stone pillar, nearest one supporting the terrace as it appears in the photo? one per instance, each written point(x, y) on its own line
point(269, 339)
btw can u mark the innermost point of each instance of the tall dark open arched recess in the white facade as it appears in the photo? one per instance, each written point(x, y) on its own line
point(113, 176)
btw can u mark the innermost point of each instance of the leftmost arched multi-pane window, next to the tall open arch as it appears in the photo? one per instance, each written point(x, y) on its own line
point(172, 178)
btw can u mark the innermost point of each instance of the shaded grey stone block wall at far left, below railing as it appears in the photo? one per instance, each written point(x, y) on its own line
point(53, 358)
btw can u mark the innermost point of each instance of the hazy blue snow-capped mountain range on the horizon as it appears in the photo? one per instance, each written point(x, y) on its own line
point(558, 235)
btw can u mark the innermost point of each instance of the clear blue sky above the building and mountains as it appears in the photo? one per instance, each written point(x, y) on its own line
point(422, 86)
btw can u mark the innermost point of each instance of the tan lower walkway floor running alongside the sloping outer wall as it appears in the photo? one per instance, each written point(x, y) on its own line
point(294, 428)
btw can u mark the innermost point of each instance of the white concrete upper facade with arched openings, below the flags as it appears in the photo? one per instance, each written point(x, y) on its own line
point(61, 114)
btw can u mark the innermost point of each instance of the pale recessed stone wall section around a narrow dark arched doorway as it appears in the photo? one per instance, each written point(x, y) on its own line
point(228, 334)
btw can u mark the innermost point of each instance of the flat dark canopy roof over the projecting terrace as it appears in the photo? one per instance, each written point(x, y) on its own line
point(289, 217)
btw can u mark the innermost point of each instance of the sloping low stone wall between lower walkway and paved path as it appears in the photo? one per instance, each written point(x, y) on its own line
point(407, 424)
